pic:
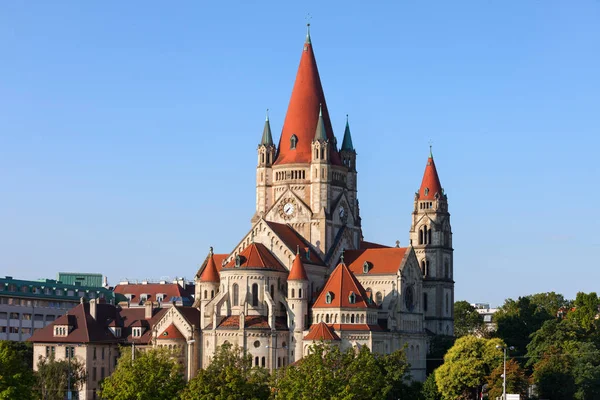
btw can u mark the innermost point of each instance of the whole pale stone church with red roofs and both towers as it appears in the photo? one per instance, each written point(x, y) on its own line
point(304, 273)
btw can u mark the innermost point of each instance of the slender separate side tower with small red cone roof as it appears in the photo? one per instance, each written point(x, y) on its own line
point(431, 237)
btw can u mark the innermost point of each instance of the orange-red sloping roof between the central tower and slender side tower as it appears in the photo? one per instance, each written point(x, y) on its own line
point(381, 260)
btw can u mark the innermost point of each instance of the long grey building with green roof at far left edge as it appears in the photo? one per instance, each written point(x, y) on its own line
point(26, 306)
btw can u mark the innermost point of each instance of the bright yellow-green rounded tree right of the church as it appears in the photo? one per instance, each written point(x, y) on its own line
point(466, 367)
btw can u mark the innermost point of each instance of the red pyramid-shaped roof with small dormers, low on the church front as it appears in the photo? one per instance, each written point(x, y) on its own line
point(341, 283)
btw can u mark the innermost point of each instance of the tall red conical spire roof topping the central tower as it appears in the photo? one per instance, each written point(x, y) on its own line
point(303, 113)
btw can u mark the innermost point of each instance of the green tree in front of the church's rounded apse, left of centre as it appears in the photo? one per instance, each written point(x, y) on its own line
point(229, 376)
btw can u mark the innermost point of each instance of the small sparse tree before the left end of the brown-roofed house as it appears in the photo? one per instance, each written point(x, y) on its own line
point(53, 377)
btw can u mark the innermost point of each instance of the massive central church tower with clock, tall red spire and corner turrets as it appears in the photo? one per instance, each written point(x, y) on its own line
point(306, 181)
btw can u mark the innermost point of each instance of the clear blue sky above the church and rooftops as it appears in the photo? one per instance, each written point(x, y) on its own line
point(128, 130)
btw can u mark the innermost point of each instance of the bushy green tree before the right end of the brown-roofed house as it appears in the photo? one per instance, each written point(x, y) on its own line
point(154, 374)
